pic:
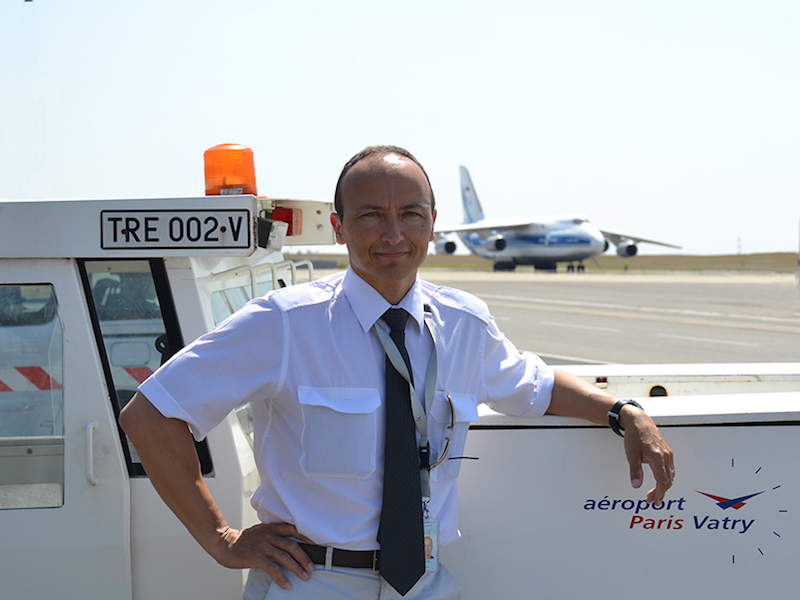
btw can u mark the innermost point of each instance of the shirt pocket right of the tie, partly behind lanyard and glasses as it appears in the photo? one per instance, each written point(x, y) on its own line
point(465, 409)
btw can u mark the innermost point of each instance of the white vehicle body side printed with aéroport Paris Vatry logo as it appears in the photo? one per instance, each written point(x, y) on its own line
point(728, 528)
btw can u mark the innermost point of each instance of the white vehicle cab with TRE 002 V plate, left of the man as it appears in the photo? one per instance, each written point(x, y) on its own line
point(95, 295)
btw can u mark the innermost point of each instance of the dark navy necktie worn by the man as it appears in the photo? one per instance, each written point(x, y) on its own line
point(400, 534)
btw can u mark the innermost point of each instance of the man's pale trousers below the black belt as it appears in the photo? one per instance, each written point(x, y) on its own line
point(341, 583)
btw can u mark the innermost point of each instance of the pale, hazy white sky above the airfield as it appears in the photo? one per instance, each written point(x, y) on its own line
point(677, 121)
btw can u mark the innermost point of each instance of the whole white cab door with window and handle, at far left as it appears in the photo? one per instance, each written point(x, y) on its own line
point(64, 492)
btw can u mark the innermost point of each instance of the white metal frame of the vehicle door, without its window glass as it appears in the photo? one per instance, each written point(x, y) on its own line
point(56, 553)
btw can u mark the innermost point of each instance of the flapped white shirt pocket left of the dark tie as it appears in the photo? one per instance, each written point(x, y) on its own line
point(340, 429)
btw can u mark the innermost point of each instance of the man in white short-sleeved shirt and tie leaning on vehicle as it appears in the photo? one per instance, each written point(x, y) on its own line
point(311, 361)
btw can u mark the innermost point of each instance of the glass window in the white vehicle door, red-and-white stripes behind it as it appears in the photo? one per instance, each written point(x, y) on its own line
point(31, 398)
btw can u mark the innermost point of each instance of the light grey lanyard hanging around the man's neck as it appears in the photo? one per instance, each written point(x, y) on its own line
point(419, 411)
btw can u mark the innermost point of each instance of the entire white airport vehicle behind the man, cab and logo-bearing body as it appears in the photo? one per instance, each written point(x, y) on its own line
point(95, 294)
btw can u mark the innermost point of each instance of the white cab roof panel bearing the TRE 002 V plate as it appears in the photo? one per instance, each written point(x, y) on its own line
point(89, 228)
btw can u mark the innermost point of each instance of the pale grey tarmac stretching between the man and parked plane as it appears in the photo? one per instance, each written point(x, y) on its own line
point(641, 318)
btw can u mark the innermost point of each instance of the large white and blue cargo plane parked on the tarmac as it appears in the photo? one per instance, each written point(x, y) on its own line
point(542, 242)
